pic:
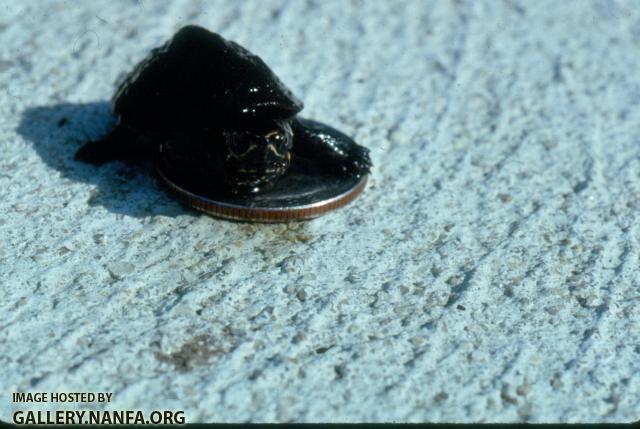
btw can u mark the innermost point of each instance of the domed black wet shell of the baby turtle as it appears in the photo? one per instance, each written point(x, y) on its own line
point(200, 81)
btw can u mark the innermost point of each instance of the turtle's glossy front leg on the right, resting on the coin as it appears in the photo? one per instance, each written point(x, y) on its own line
point(329, 147)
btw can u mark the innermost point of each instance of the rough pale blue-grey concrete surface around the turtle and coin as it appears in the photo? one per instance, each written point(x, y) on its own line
point(488, 273)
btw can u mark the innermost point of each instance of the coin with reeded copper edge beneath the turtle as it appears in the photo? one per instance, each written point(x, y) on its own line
point(305, 191)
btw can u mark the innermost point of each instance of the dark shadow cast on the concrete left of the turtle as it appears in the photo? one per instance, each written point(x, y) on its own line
point(128, 188)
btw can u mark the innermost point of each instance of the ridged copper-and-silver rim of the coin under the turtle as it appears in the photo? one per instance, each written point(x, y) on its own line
point(262, 214)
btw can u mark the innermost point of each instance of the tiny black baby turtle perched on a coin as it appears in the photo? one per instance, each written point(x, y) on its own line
point(217, 114)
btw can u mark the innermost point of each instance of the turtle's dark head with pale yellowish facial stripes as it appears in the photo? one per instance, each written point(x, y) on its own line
point(257, 155)
